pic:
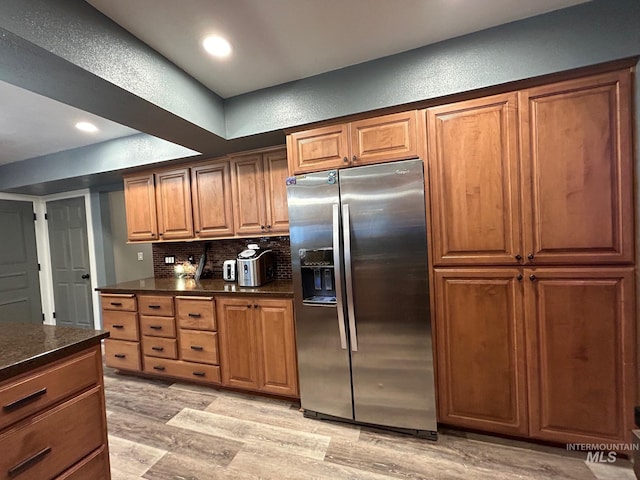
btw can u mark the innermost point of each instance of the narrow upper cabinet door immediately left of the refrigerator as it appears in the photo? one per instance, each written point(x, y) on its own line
point(275, 176)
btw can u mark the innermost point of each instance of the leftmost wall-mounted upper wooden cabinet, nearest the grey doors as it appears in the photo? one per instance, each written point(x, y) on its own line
point(140, 202)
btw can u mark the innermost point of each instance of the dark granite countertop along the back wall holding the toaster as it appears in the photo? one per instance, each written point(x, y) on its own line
point(189, 286)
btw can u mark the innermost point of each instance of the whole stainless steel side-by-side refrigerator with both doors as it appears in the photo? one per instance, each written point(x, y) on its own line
point(363, 331)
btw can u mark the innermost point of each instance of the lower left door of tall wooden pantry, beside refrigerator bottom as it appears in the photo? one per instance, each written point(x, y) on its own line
point(480, 348)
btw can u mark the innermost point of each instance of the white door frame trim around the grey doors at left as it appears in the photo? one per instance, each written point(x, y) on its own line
point(44, 252)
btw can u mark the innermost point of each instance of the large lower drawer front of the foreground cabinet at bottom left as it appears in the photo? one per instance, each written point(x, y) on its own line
point(52, 442)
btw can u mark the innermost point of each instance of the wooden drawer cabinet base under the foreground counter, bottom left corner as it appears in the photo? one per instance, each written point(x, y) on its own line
point(40, 435)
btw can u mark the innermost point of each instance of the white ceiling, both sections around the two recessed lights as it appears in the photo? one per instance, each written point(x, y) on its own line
point(273, 41)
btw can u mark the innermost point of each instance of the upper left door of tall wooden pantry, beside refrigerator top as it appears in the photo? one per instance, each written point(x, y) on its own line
point(474, 181)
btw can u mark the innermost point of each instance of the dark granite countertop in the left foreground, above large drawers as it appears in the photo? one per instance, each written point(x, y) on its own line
point(26, 346)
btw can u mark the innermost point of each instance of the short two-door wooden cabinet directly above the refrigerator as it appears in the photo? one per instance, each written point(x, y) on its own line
point(373, 140)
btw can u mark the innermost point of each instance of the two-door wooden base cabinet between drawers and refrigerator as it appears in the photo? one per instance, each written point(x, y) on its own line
point(258, 344)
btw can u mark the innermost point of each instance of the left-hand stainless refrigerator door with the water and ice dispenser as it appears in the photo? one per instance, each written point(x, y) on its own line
point(323, 355)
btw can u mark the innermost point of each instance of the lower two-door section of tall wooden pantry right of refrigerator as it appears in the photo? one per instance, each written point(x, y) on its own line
point(546, 353)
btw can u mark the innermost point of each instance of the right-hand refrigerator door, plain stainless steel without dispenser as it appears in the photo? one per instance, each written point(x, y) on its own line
point(385, 257)
